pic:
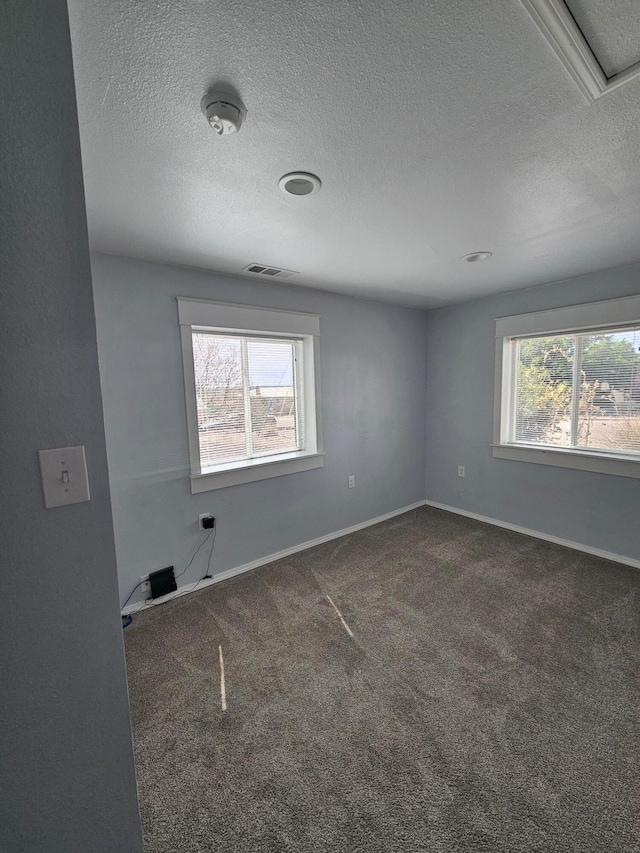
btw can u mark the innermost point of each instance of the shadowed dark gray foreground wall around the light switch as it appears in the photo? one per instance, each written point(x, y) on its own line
point(67, 783)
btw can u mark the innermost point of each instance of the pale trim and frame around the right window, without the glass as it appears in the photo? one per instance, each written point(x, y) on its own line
point(591, 316)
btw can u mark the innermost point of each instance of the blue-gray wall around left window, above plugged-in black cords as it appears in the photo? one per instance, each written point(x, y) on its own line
point(373, 388)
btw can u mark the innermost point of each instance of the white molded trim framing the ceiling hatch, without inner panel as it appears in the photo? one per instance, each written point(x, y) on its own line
point(559, 27)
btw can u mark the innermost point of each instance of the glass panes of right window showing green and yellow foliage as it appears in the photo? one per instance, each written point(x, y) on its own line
point(579, 391)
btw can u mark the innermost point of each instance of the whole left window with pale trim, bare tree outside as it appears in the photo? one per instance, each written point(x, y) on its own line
point(251, 392)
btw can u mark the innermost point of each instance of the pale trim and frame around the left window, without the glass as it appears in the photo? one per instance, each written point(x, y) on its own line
point(197, 315)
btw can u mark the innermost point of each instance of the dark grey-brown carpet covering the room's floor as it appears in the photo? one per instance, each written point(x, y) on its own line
point(487, 701)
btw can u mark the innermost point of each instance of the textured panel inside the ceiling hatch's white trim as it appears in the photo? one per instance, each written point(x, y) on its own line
point(612, 29)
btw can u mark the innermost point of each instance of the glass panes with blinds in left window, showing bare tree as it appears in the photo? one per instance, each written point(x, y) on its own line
point(246, 397)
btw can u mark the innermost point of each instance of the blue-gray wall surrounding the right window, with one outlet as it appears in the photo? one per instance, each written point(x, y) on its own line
point(597, 510)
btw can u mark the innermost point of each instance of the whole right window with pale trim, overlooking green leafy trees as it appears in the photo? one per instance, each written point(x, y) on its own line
point(568, 387)
